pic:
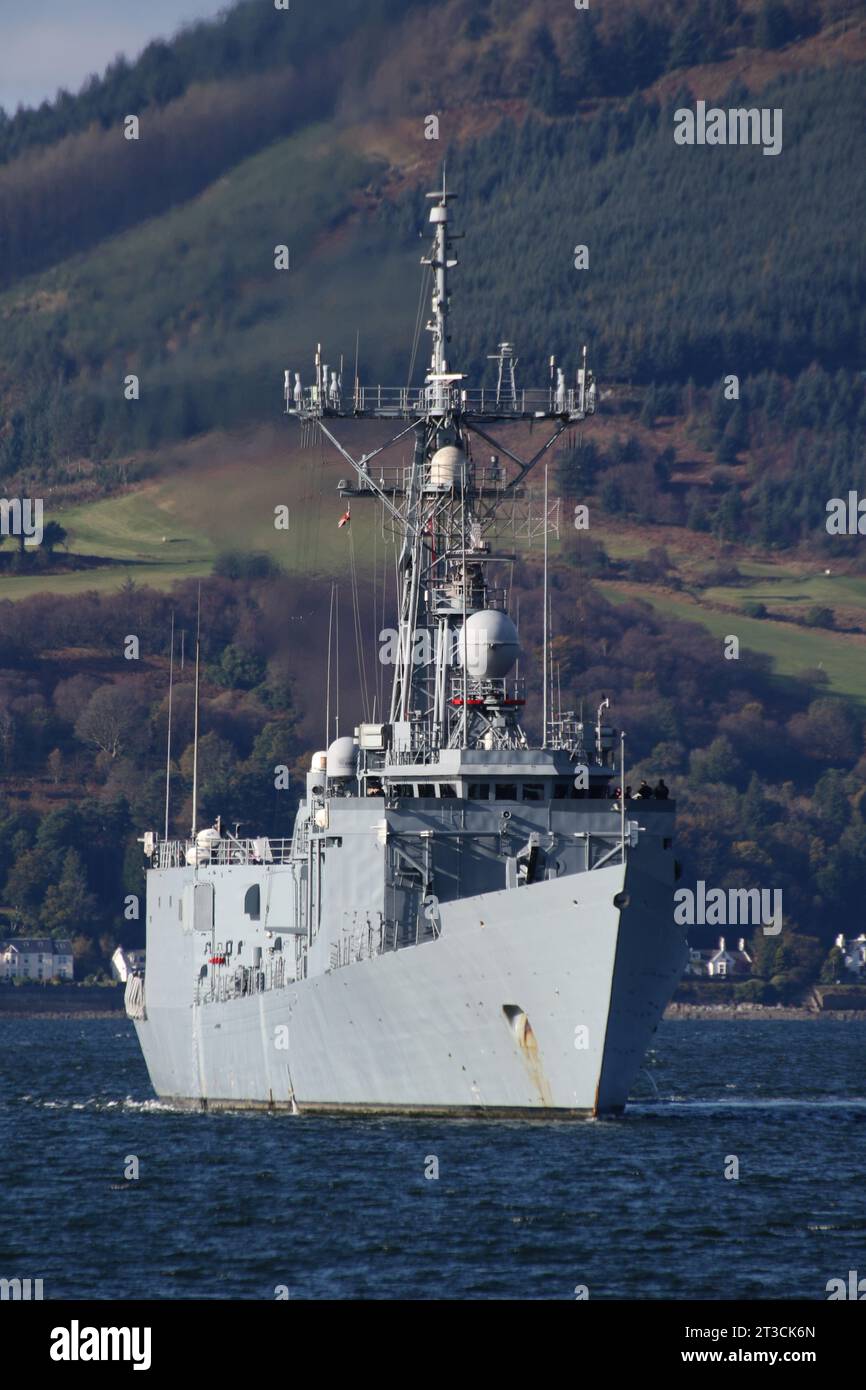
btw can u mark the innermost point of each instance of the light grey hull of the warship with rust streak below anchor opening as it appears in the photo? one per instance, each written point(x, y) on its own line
point(539, 1000)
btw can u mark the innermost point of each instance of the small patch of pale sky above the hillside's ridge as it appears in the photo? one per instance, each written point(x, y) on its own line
point(47, 45)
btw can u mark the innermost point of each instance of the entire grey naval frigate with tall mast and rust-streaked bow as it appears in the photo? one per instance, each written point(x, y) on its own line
point(465, 922)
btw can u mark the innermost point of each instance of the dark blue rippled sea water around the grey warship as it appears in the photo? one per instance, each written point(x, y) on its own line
point(236, 1206)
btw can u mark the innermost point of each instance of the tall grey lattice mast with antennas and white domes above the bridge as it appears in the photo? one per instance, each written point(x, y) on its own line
point(457, 644)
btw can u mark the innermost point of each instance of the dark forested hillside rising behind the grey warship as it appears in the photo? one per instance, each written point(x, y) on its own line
point(307, 129)
